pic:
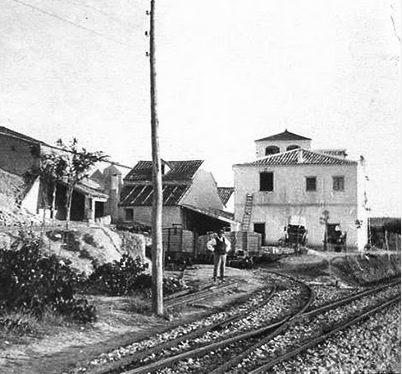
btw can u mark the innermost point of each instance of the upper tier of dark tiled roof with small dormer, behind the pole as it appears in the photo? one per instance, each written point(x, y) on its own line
point(179, 170)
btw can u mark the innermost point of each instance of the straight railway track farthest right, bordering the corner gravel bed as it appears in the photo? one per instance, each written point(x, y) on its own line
point(310, 329)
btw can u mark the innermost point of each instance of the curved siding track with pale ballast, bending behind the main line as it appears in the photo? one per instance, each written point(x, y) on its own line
point(246, 326)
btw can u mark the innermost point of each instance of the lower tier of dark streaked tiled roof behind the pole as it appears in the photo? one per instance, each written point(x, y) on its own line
point(142, 195)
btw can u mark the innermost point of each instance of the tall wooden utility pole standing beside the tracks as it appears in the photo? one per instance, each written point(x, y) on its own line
point(157, 250)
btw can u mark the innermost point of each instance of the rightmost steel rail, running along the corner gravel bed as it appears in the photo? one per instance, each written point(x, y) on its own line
point(323, 337)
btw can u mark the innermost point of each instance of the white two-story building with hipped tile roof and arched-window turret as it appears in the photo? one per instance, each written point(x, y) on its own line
point(288, 181)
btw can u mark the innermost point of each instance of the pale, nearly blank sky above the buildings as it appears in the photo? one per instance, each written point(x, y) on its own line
point(228, 72)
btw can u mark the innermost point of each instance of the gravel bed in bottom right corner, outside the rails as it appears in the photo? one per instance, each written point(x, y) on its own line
point(371, 347)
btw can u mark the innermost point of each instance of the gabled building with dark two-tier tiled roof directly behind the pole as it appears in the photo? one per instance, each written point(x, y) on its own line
point(191, 199)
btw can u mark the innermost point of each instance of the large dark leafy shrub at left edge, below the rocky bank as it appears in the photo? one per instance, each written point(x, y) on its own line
point(31, 282)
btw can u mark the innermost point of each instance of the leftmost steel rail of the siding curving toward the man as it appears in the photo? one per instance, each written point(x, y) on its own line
point(140, 355)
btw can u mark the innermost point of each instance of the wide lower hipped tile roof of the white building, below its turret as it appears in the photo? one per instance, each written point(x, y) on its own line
point(300, 156)
